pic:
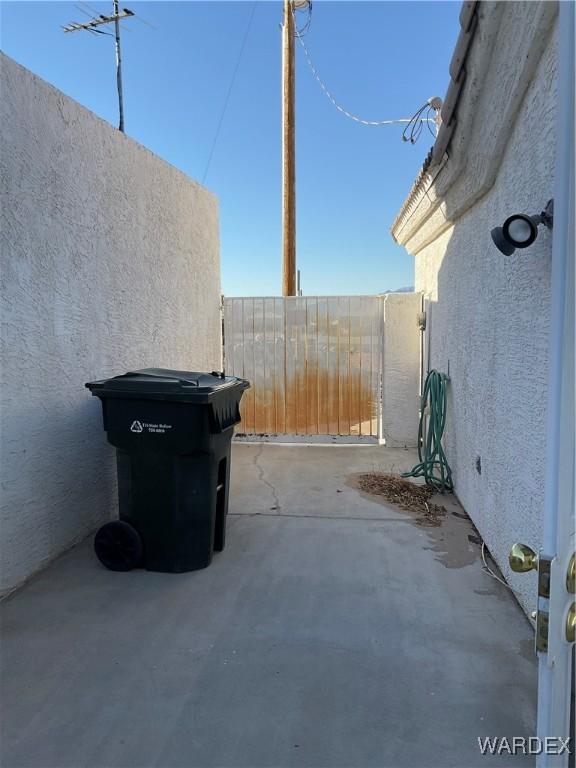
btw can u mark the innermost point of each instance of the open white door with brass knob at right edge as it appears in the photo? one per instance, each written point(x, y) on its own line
point(555, 620)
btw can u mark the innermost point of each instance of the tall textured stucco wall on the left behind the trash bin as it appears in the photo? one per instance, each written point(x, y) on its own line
point(110, 261)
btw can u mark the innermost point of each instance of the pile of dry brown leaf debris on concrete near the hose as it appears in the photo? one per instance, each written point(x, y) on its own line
point(403, 494)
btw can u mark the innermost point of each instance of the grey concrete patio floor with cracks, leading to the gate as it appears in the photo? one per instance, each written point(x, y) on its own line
point(332, 631)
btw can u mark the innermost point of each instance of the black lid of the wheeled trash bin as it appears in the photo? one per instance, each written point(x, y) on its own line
point(164, 383)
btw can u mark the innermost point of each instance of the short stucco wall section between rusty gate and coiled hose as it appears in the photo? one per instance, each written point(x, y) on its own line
point(401, 370)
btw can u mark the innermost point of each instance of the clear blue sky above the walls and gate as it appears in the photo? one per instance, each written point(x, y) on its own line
point(380, 59)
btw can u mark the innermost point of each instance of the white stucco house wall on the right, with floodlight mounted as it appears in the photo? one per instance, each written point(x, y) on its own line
point(488, 320)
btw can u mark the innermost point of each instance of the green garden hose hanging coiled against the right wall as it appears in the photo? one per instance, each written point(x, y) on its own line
point(433, 466)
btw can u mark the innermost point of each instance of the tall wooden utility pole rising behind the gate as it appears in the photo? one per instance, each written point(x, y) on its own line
point(288, 154)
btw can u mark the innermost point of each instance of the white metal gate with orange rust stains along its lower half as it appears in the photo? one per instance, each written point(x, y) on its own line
point(314, 363)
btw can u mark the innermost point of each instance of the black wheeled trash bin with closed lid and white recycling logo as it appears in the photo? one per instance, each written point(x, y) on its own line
point(172, 432)
